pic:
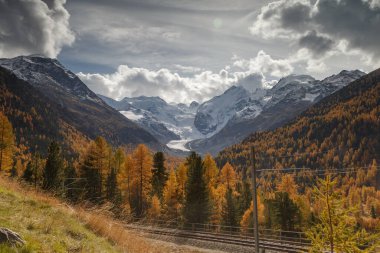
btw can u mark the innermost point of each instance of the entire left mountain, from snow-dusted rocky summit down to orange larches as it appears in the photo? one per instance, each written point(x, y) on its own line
point(45, 101)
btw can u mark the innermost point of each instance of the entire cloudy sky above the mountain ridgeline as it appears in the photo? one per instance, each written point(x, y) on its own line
point(193, 50)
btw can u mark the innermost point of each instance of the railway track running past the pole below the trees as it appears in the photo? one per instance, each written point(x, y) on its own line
point(265, 242)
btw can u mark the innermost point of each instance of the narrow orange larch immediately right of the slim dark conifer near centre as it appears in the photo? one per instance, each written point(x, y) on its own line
point(171, 205)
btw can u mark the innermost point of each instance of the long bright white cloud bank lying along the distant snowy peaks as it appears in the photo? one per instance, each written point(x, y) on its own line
point(128, 81)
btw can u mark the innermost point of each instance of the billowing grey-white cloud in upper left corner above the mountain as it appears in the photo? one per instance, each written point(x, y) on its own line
point(34, 26)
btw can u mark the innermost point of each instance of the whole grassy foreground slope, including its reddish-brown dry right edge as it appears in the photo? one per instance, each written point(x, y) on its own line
point(59, 227)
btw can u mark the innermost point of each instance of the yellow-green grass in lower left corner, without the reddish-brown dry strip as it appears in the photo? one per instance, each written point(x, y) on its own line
point(46, 228)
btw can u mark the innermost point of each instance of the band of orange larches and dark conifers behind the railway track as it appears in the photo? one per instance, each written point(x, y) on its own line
point(342, 206)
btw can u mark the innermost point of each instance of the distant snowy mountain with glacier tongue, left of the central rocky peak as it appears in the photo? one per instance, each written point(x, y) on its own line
point(170, 123)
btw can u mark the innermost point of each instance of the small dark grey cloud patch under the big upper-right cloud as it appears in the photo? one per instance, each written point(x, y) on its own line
point(318, 44)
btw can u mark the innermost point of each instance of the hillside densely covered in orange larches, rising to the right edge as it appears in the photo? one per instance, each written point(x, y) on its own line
point(339, 131)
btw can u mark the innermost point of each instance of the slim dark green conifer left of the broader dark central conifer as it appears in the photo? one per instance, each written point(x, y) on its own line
point(160, 175)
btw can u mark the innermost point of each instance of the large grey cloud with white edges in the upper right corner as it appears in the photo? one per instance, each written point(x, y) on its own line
point(316, 25)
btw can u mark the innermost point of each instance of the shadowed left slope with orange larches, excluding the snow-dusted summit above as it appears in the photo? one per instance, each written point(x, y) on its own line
point(42, 114)
